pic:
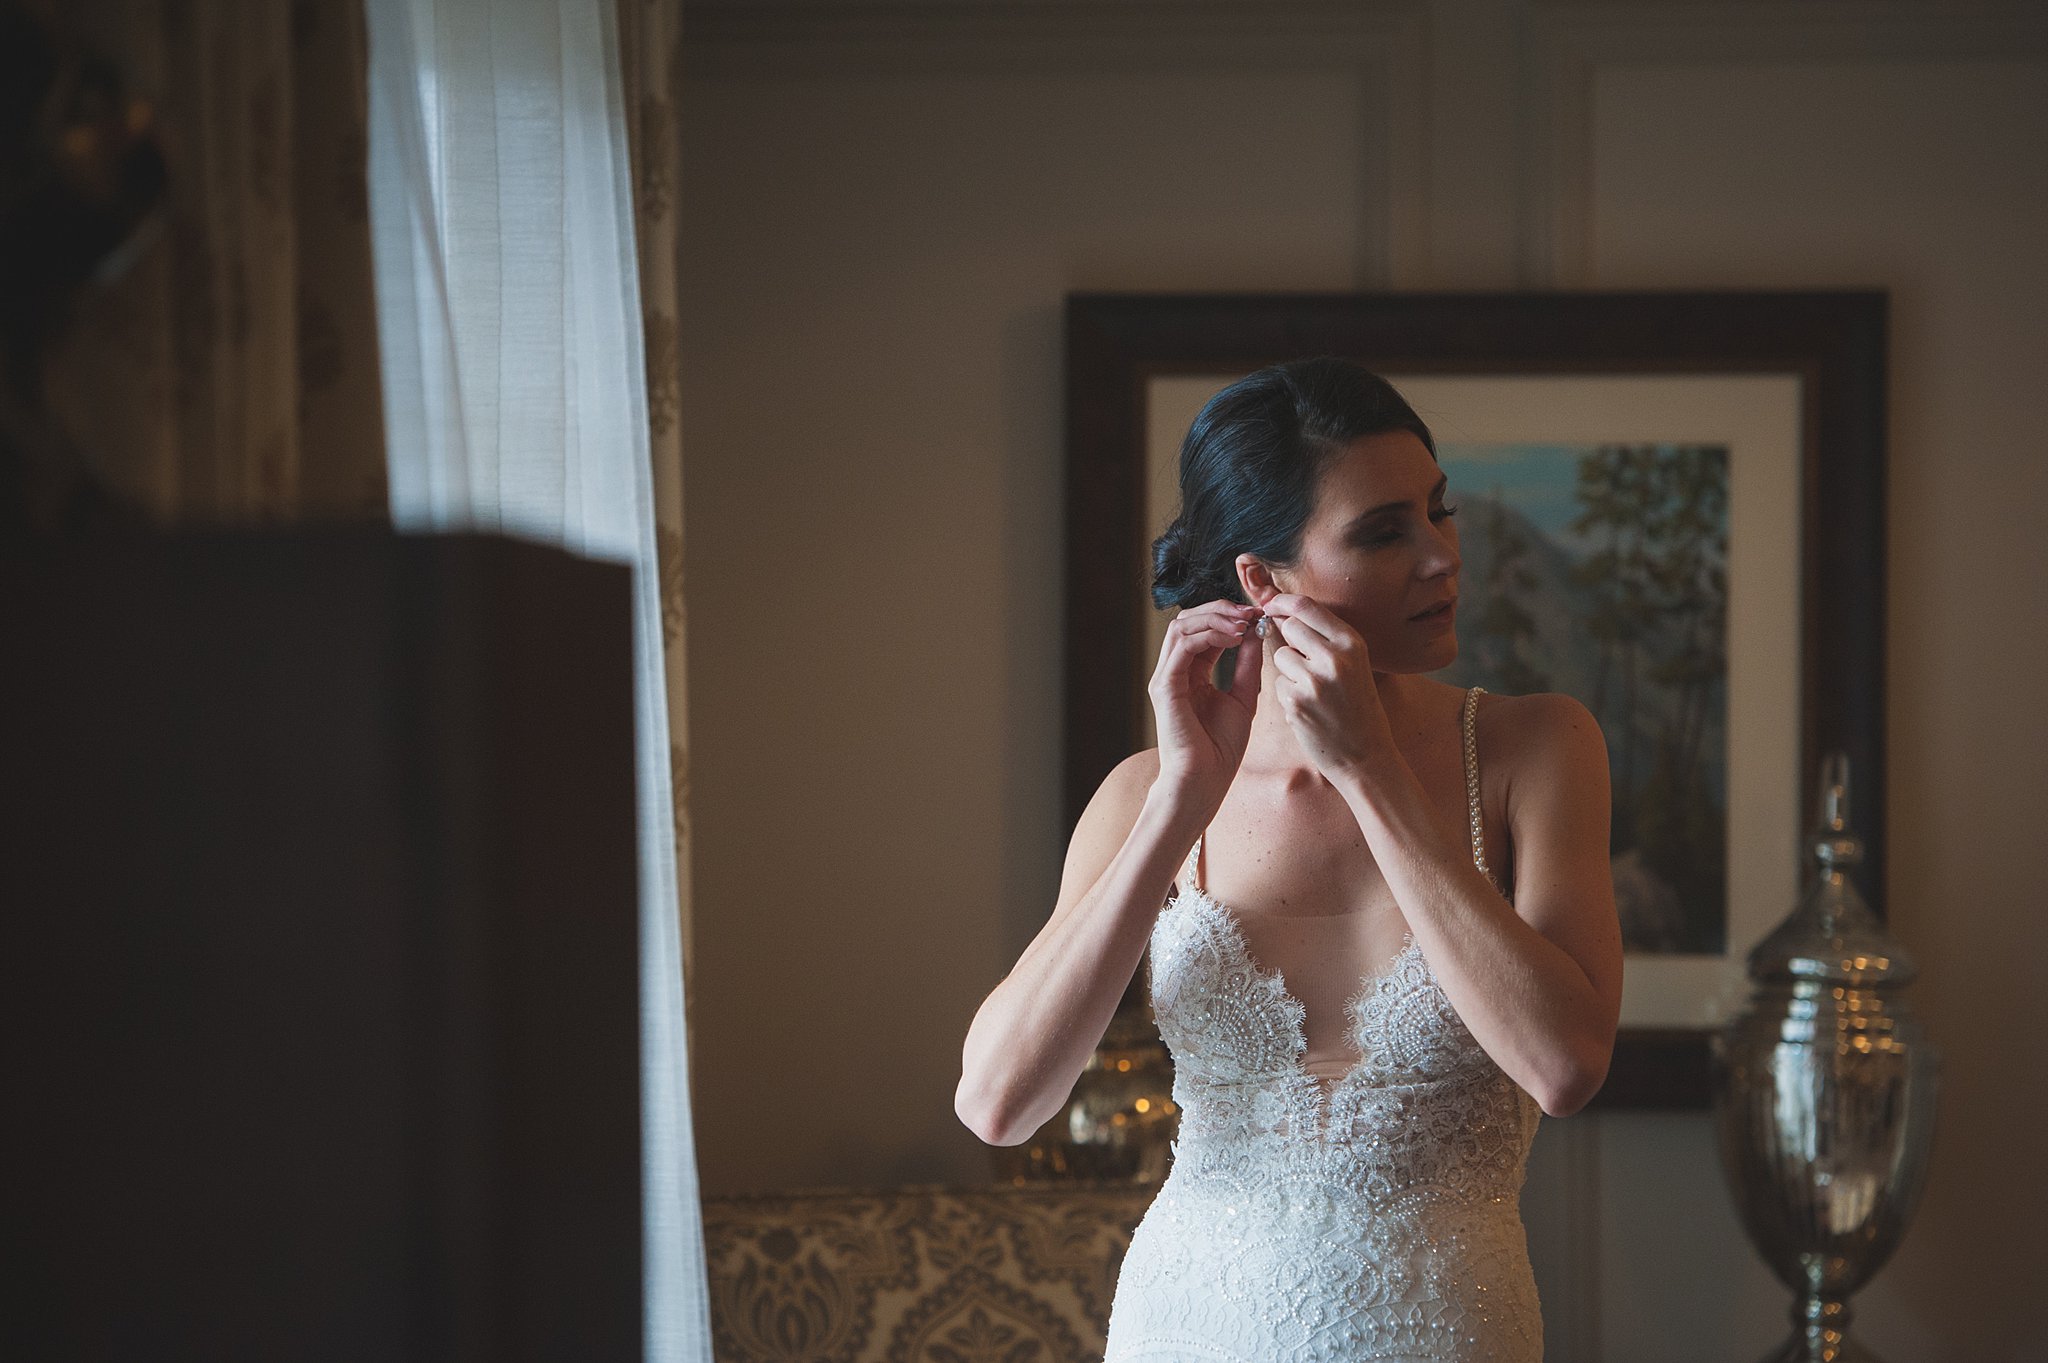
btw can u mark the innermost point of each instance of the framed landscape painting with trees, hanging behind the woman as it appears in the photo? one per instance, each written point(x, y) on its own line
point(1674, 513)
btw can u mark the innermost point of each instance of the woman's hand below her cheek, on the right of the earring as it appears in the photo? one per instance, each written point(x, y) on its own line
point(1326, 687)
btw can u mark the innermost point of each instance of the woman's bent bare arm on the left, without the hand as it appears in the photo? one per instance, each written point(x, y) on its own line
point(1035, 1032)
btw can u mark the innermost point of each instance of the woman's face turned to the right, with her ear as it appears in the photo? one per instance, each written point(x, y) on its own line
point(1381, 547)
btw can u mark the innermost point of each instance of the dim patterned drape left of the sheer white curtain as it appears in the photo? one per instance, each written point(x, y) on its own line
point(230, 371)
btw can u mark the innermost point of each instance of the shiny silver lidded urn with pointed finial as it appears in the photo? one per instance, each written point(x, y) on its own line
point(1826, 1094)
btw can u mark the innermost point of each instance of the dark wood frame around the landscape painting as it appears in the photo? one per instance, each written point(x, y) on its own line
point(1832, 341)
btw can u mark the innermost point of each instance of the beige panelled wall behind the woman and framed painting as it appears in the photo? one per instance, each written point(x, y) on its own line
point(884, 212)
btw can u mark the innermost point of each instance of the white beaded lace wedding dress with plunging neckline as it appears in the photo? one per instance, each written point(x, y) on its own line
point(1371, 1219)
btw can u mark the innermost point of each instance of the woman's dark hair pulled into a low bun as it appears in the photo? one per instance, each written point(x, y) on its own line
point(1252, 464)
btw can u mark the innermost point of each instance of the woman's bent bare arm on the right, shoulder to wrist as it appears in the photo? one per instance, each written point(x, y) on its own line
point(1537, 983)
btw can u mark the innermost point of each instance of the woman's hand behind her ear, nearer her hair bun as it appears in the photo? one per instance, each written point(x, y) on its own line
point(1203, 732)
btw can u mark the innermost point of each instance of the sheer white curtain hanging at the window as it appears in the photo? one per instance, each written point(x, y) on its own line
point(515, 400)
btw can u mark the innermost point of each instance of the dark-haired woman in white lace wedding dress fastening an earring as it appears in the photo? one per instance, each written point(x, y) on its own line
point(1379, 912)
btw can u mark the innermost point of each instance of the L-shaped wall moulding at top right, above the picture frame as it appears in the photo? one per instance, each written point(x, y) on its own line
point(1570, 44)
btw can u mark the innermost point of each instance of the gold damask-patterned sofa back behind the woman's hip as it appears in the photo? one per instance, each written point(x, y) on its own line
point(919, 1274)
